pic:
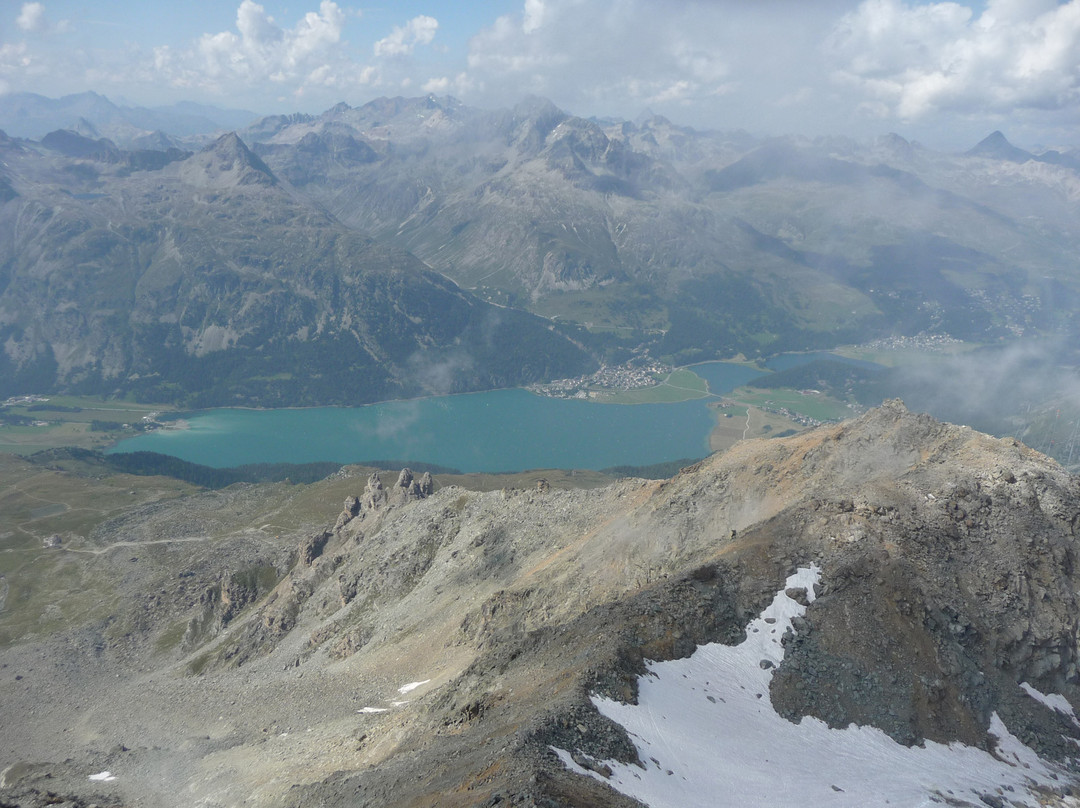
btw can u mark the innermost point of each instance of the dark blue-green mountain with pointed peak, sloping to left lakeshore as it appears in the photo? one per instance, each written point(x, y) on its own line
point(204, 279)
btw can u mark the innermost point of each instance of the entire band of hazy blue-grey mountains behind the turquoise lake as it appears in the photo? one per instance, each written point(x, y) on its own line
point(125, 263)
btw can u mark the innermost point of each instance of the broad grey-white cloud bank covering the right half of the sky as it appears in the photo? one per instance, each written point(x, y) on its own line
point(838, 66)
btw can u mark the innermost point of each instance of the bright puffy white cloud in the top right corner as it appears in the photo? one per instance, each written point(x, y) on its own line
point(912, 61)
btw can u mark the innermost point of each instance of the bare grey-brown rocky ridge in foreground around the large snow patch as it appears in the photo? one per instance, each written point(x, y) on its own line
point(426, 648)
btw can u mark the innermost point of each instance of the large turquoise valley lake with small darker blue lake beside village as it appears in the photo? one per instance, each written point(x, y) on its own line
point(503, 430)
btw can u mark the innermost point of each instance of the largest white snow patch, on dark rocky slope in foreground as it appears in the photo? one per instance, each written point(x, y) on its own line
point(707, 732)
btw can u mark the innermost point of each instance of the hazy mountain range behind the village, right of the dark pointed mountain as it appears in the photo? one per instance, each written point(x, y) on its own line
point(722, 241)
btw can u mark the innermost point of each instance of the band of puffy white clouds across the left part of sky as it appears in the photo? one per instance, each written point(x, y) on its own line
point(260, 61)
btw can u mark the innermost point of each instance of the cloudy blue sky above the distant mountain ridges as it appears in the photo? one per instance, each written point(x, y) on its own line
point(946, 74)
